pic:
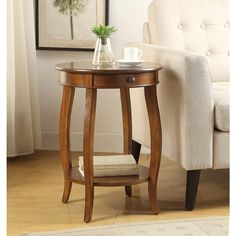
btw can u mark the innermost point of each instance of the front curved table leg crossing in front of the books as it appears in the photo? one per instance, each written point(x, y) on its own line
point(89, 122)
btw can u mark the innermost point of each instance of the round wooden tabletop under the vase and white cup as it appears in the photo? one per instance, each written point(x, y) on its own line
point(88, 67)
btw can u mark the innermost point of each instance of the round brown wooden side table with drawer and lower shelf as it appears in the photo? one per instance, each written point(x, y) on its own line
point(85, 75)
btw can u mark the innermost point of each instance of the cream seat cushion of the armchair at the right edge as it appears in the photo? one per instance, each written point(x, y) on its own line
point(221, 105)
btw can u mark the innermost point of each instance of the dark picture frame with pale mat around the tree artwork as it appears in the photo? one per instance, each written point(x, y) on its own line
point(44, 42)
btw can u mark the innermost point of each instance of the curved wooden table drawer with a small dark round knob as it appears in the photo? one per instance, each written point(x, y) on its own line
point(125, 80)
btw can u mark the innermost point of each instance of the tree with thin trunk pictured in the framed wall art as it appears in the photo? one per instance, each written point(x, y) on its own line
point(70, 7)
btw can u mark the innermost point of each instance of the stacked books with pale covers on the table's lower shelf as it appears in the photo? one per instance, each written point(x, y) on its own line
point(118, 165)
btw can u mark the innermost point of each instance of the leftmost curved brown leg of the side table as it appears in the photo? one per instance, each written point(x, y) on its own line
point(65, 115)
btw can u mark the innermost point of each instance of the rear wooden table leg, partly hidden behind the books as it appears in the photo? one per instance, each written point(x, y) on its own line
point(127, 127)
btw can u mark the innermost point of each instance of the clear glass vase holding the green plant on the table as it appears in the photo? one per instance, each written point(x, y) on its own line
point(103, 54)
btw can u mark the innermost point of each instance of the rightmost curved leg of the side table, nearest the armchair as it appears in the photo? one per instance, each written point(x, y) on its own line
point(156, 142)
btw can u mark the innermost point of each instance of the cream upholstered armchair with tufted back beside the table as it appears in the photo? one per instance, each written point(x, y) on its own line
point(190, 38)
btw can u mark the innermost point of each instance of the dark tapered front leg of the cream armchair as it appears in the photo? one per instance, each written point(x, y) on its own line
point(193, 177)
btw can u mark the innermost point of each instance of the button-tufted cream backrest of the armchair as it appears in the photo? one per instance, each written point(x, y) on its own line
point(198, 25)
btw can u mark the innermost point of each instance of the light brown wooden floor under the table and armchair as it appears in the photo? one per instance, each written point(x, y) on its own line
point(35, 185)
